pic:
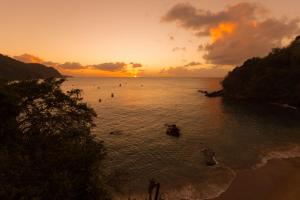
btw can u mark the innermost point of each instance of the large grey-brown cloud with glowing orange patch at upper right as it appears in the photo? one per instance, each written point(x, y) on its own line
point(238, 32)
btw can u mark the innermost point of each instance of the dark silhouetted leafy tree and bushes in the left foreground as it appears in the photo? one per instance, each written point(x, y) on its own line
point(47, 150)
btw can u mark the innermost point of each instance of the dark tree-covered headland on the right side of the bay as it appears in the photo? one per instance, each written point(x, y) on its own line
point(274, 78)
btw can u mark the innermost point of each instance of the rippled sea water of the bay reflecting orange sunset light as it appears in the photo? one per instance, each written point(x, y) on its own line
point(242, 135)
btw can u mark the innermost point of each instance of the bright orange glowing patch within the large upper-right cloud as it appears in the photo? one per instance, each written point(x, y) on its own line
point(218, 32)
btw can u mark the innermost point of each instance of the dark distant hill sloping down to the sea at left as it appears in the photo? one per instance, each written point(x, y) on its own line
point(12, 69)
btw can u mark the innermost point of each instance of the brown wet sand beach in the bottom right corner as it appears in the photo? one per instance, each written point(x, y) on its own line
point(278, 180)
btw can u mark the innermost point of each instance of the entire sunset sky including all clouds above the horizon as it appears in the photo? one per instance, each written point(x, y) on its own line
point(204, 38)
